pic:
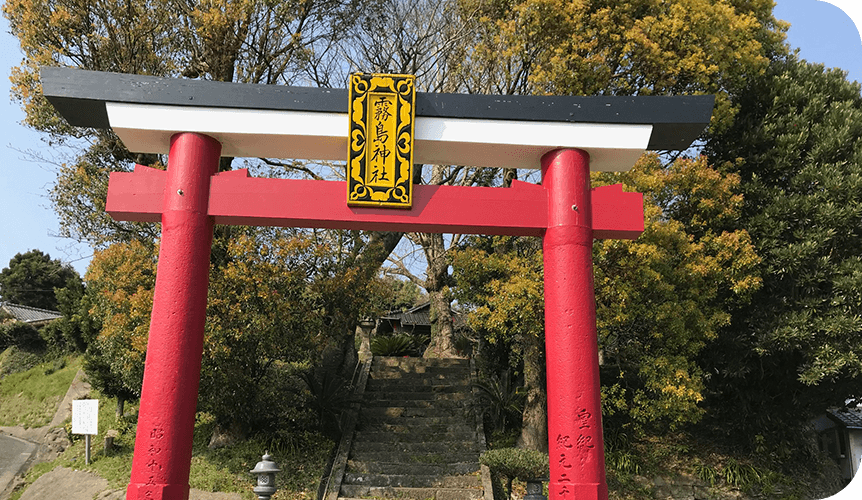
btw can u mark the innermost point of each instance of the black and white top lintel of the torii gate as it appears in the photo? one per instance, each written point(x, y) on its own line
point(311, 123)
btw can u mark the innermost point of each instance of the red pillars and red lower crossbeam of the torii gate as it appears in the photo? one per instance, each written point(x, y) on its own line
point(190, 197)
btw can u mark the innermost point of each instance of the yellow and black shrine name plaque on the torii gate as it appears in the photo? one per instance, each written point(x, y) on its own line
point(380, 144)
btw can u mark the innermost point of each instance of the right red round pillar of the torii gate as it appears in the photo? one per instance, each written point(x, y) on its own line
point(575, 443)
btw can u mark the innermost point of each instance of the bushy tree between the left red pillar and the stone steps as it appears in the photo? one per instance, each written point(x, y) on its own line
point(284, 297)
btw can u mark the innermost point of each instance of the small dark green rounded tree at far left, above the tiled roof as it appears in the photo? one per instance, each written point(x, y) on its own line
point(32, 279)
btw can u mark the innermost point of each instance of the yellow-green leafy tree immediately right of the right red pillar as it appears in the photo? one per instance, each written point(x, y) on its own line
point(661, 299)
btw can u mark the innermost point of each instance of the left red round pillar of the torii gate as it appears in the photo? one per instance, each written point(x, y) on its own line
point(163, 445)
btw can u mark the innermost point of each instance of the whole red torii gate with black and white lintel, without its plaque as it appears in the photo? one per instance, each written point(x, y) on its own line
point(196, 122)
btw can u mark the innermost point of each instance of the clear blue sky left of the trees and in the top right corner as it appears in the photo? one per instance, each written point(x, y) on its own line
point(823, 32)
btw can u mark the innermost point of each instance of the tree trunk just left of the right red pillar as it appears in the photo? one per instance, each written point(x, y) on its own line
point(534, 419)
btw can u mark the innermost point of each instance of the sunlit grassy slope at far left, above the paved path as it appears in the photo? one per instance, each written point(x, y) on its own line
point(29, 398)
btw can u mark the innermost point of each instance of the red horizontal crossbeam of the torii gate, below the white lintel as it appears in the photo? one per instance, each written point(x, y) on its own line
point(236, 199)
